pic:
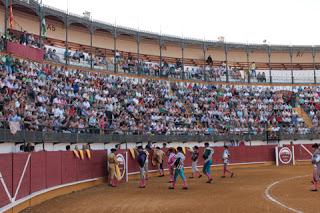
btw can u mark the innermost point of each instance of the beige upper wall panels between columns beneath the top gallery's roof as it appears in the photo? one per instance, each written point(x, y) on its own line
point(102, 39)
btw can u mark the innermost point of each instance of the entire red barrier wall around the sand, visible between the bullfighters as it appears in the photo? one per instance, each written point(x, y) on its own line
point(26, 174)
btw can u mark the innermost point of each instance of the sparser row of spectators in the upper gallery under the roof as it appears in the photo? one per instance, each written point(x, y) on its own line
point(134, 65)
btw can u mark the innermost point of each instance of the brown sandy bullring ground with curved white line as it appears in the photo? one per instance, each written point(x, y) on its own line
point(243, 193)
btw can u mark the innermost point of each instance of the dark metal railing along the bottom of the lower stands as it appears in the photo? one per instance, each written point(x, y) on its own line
point(25, 136)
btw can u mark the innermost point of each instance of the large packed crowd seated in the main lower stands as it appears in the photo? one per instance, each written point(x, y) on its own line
point(43, 97)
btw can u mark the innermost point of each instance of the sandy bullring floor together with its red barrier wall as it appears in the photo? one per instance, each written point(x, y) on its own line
point(269, 188)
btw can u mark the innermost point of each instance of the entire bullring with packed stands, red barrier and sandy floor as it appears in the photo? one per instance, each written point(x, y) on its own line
point(75, 90)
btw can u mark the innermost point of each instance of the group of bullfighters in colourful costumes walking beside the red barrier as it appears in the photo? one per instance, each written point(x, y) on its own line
point(174, 158)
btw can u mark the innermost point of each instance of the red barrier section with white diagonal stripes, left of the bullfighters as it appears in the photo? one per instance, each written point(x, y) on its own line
point(23, 174)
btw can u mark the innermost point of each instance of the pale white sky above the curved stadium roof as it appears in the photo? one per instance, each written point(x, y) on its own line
point(291, 22)
